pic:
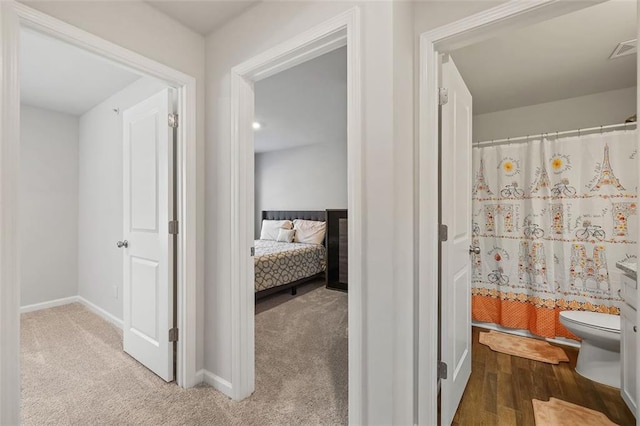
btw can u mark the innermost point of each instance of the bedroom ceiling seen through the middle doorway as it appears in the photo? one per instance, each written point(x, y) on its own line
point(304, 105)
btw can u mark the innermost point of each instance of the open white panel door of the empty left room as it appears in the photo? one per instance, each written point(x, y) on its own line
point(148, 259)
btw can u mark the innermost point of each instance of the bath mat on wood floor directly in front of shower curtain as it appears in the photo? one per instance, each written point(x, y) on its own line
point(525, 347)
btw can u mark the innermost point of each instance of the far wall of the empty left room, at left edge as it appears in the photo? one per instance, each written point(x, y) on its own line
point(48, 231)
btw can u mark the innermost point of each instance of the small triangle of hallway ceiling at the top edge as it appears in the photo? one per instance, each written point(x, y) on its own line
point(202, 17)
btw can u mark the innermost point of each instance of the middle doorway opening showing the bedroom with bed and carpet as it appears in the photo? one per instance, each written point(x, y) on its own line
point(301, 266)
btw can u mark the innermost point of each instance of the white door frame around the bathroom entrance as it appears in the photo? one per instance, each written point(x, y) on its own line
point(475, 28)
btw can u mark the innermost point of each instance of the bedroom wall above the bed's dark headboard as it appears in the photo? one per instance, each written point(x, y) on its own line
point(310, 177)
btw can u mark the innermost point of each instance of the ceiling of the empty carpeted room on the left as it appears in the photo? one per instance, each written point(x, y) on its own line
point(63, 78)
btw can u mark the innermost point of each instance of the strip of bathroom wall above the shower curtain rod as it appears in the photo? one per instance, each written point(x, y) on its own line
point(612, 107)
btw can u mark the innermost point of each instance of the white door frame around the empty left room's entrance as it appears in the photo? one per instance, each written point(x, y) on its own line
point(14, 15)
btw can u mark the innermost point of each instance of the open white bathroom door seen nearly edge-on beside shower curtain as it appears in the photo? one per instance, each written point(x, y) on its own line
point(455, 323)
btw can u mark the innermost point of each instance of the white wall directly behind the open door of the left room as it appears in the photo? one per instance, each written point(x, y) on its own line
point(100, 197)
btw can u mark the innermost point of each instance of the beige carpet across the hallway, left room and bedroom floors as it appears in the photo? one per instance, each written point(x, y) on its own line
point(74, 370)
